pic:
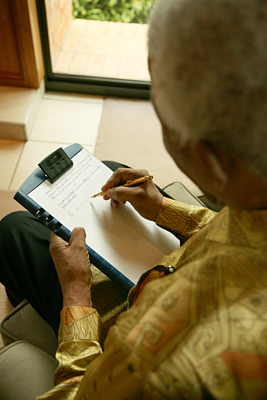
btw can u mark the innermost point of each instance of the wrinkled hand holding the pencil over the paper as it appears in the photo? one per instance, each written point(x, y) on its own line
point(145, 198)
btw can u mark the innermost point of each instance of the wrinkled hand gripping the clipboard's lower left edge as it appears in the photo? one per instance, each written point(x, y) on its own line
point(73, 268)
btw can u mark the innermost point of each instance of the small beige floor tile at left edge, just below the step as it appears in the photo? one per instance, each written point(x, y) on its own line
point(10, 151)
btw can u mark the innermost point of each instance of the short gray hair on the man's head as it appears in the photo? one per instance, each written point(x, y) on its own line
point(208, 62)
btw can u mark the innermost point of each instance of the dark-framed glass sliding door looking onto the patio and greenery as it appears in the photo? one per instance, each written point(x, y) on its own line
point(99, 45)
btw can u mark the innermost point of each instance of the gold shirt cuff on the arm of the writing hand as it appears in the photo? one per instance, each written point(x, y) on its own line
point(183, 219)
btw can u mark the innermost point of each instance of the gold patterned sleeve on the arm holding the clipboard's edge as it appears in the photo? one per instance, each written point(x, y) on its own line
point(79, 337)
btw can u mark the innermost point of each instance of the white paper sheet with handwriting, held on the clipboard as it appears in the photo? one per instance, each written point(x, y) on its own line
point(121, 236)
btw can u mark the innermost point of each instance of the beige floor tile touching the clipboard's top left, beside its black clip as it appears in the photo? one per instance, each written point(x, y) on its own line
point(32, 154)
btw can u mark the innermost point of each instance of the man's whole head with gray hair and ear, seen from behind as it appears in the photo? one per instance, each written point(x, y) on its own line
point(208, 64)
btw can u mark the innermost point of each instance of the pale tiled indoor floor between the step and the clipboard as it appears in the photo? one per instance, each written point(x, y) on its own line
point(61, 120)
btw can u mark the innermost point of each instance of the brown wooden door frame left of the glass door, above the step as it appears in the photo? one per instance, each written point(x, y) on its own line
point(21, 61)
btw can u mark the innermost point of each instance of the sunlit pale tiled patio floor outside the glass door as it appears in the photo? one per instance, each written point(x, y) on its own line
point(104, 49)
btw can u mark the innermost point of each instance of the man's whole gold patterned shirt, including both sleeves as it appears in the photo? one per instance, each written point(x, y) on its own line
point(197, 333)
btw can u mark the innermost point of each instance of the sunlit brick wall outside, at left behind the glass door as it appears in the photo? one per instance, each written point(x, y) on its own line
point(59, 17)
